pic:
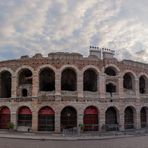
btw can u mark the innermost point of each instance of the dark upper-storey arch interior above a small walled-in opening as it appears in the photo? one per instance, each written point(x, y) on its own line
point(25, 77)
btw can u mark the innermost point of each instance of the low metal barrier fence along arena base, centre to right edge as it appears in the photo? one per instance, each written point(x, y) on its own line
point(107, 129)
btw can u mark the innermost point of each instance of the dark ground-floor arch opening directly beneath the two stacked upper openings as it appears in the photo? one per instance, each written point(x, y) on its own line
point(111, 119)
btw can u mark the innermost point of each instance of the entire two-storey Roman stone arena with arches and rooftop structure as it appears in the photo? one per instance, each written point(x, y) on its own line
point(66, 90)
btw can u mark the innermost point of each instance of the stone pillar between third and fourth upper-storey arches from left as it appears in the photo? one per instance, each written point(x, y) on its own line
point(58, 85)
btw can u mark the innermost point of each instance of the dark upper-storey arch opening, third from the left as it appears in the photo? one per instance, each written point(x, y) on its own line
point(47, 80)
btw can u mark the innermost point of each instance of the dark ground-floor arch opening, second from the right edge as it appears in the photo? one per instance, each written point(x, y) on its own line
point(129, 118)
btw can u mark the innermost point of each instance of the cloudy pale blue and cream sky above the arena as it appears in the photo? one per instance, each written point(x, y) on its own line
point(32, 26)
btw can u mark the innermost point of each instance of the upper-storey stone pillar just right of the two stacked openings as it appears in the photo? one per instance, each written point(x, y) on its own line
point(120, 87)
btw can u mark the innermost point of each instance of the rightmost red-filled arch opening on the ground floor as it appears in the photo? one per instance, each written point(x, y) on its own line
point(90, 119)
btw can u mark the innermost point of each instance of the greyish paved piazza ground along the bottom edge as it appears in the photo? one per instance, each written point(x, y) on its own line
point(132, 142)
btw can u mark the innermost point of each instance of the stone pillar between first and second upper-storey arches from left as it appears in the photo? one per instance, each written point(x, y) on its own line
point(14, 87)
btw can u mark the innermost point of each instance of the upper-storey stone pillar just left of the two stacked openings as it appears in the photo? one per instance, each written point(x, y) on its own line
point(102, 83)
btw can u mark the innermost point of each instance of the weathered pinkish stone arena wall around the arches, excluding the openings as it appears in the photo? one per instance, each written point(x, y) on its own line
point(79, 99)
